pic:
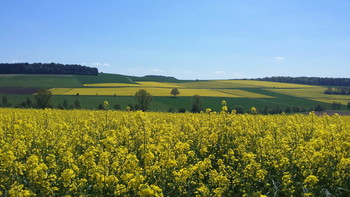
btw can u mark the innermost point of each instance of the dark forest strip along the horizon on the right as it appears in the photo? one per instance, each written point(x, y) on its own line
point(309, 80)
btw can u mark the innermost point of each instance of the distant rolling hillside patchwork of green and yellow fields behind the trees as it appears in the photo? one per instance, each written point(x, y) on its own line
point(93, 90)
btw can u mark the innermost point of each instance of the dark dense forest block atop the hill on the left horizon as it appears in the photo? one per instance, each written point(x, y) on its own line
point(46, 68)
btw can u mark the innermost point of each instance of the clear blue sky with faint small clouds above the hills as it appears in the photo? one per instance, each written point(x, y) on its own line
point(187, 39)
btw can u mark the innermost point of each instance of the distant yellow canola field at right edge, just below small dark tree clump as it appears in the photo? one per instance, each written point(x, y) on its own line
point(316, 94)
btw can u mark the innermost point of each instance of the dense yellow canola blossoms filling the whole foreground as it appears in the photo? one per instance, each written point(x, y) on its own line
point(111, 153)
